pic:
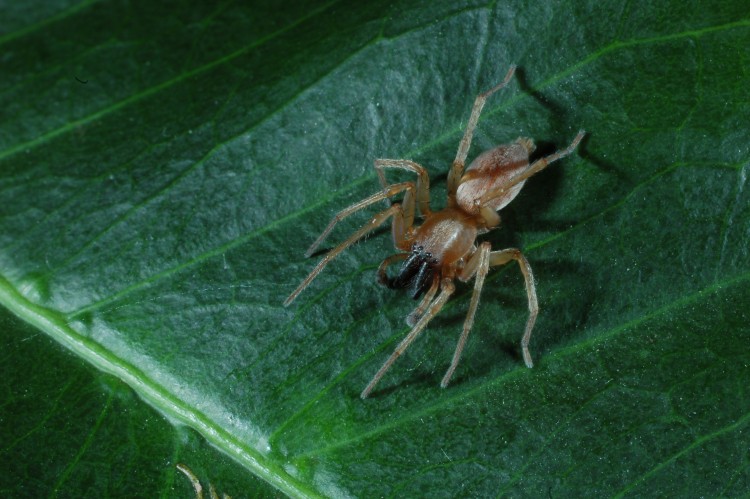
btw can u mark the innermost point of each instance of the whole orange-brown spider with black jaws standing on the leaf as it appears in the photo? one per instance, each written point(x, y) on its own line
point(445, 246)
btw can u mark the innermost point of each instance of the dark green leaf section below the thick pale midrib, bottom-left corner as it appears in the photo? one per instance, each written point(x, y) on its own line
point(70, 432)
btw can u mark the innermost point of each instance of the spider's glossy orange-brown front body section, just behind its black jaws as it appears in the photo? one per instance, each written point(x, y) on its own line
point(448, 235)
